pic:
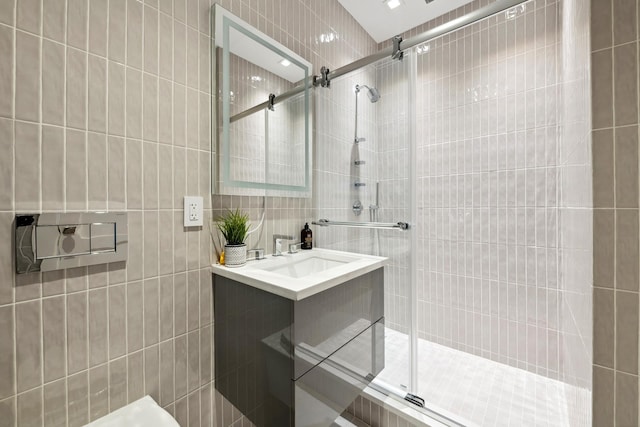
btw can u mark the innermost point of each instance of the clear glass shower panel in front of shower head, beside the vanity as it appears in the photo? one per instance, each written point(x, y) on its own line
point(370, 181)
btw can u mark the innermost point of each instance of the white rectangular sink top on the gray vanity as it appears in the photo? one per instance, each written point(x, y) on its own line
point(300, 275)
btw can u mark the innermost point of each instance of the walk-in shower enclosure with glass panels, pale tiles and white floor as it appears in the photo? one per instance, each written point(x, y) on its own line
point(479, 139)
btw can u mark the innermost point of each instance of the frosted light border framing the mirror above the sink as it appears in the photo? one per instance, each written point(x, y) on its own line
point(221, 22)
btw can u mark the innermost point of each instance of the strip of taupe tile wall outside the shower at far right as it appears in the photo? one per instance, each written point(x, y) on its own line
point(614, 62)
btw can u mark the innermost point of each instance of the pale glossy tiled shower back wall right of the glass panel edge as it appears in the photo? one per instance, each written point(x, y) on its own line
point(487, 198)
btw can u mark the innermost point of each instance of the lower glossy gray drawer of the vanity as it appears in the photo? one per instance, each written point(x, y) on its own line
point(328, 388)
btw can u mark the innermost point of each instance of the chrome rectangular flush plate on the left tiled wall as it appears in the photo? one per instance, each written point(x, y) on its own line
point(53, 241)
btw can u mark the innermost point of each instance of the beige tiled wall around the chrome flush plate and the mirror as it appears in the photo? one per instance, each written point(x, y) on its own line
point(104, 105)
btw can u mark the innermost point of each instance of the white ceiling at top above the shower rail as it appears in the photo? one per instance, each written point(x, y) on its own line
point(383, 23)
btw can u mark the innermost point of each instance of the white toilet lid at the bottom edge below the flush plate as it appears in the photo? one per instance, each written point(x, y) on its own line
point(144, 412)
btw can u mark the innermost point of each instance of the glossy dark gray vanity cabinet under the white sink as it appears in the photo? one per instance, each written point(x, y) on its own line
point(297, 363)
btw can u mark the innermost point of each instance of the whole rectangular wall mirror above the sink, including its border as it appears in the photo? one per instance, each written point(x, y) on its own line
point(262, 141)
